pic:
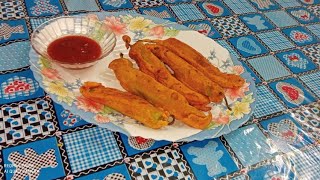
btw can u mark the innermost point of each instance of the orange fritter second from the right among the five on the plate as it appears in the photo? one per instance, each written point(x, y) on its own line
point(188, 74)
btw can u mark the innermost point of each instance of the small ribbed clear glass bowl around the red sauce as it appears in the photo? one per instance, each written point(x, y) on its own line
point(73, 26)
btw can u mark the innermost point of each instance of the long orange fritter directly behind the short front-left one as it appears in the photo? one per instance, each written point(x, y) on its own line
point(145, 86)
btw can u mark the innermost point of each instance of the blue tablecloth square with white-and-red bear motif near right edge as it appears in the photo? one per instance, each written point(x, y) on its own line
point(296, 61)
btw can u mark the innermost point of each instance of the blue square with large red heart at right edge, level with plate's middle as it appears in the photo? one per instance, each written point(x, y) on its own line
point(292, 92)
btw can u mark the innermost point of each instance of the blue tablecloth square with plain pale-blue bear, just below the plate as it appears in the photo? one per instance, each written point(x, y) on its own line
point(208, 159)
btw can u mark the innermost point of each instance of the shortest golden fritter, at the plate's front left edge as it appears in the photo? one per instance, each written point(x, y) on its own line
point(126, 103)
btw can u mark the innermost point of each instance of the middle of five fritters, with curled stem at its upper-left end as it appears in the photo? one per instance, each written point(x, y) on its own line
point(151, 65)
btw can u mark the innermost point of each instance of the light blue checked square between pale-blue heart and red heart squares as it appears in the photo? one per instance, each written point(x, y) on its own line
point(275, 40)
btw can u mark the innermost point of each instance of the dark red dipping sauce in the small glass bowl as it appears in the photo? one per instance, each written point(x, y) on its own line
point(74, 49)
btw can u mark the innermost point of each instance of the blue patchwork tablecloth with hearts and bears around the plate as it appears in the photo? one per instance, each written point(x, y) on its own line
point(277, 41)
